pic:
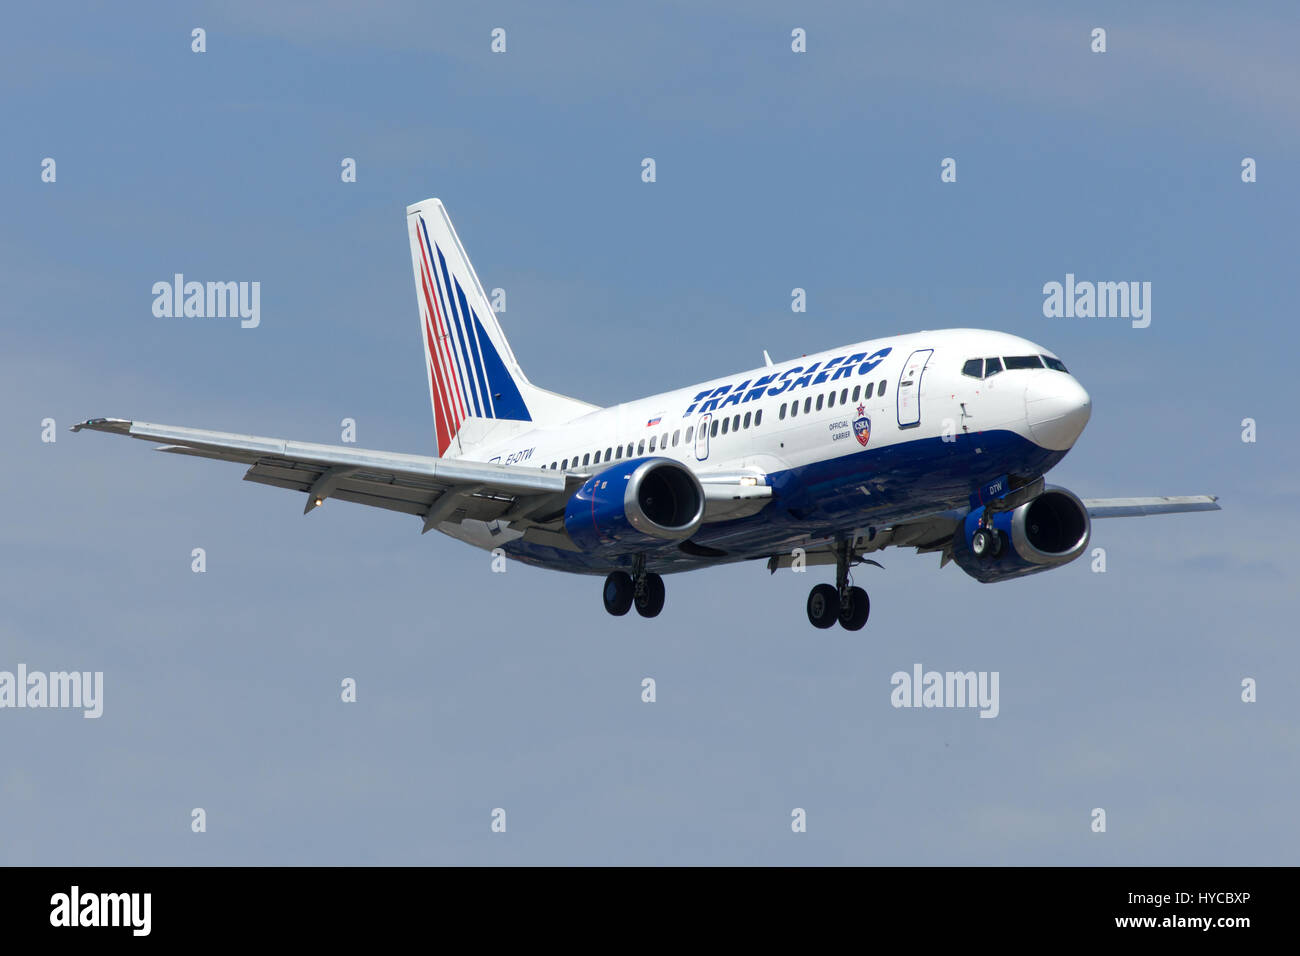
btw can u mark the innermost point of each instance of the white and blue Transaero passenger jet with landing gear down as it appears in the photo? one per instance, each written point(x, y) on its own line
point(931, 440)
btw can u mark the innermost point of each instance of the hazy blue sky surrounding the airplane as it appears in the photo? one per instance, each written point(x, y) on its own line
point(775, 171)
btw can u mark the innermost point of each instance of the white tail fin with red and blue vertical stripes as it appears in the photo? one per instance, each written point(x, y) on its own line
point(473, 371)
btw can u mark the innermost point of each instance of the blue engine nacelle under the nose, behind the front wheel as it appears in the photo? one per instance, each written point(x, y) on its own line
point(1046, 533)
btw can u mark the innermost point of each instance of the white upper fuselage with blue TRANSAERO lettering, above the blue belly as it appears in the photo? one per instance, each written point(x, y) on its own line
point(1042, 405)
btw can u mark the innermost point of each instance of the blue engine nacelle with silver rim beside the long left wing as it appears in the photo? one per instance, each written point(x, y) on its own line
point(635, 504)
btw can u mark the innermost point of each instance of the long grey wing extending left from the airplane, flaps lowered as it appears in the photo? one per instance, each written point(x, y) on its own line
point(437, 490)
